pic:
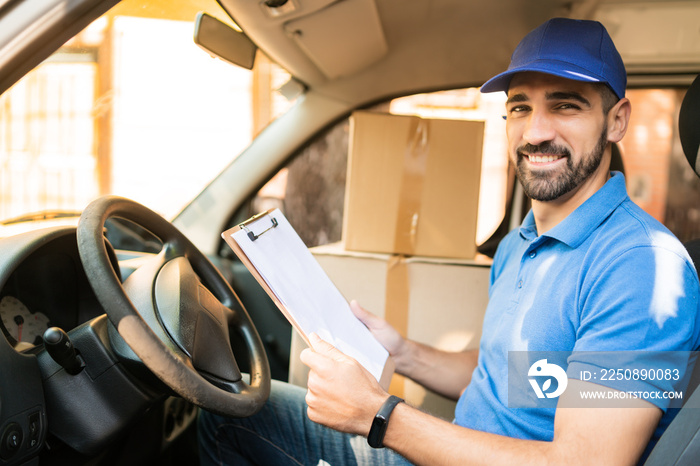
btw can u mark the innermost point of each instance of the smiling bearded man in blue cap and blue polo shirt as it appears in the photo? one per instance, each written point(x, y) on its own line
point(588, 274)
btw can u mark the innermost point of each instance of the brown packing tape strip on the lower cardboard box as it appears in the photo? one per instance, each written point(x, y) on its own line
point(396, 307)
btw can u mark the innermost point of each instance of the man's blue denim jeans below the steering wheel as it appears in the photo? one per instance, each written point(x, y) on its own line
point(281, 434)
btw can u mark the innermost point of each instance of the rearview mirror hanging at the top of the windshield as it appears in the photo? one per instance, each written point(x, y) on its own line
point(222, 41)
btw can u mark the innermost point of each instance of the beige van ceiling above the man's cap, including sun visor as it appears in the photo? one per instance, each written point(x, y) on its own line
point(360, 50)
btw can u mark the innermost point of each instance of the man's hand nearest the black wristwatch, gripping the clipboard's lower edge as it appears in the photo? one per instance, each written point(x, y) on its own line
point(341, 393)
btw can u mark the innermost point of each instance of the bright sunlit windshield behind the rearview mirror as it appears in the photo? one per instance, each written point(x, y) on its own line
point(130, 106)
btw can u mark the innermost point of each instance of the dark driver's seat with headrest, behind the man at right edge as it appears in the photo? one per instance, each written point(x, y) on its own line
point(680, 444)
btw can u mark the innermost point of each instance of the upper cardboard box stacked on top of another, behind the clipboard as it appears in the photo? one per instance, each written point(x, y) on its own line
point(413, 185)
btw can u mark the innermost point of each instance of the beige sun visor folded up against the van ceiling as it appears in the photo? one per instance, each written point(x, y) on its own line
point(342, 38)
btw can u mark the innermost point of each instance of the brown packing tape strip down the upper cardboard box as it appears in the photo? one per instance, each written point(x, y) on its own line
point(414, 168)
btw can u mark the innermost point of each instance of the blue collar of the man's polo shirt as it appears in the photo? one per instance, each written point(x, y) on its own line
point(583, 221)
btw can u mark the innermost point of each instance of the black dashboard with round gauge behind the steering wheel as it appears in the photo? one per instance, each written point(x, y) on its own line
point(50, 414)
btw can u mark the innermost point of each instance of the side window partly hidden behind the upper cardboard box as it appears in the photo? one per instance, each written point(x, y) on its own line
point(310, 190)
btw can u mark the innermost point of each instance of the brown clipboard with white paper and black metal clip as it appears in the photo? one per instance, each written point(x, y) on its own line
point(281, 263)
